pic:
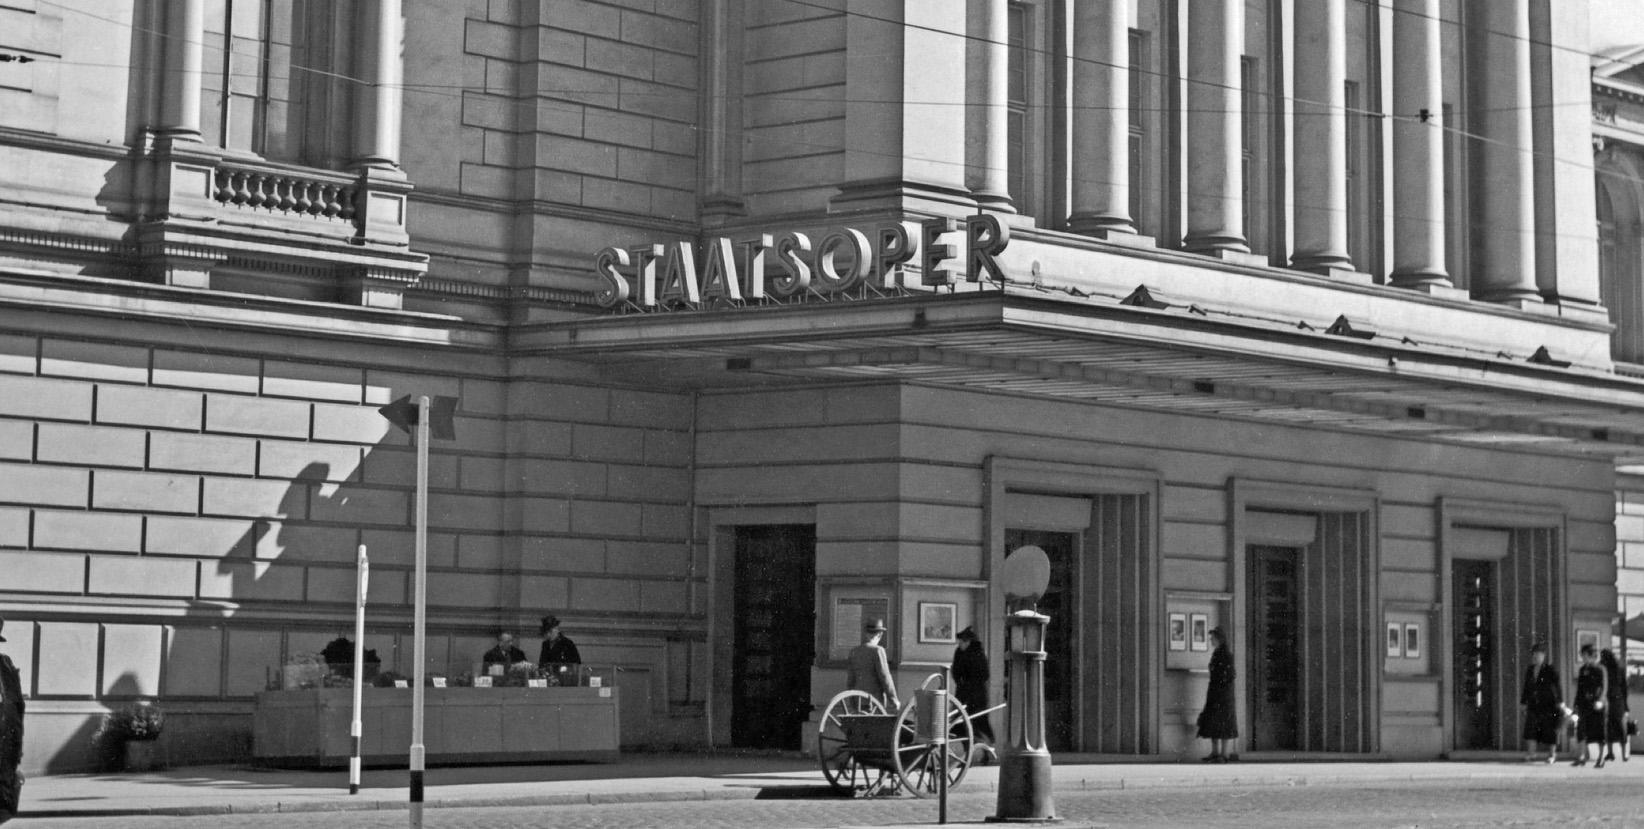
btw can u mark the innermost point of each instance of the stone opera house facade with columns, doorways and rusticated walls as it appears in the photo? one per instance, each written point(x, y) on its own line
point(1278, 317)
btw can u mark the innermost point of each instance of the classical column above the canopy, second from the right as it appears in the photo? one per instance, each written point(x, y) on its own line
point(1418, 147)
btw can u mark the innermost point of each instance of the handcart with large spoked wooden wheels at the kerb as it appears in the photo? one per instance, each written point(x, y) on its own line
point(869, 751)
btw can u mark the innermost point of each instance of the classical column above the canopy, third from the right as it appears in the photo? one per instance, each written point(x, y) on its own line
point(1321, 137)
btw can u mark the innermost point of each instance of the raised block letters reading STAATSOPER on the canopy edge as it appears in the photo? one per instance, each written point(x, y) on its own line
point(790, 264)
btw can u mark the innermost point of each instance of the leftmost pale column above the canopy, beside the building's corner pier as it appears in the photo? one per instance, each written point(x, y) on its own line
point(987, 119)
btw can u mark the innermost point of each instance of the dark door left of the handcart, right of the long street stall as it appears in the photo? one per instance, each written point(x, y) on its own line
point(775, 636)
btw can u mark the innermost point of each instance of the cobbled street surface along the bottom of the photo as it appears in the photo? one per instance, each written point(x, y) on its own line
point(1569, 804)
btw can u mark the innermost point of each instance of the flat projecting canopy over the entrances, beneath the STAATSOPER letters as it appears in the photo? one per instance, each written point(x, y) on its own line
point(1127, 358)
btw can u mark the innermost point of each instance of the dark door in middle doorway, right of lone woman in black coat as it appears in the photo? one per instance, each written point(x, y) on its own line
point(1275, 642)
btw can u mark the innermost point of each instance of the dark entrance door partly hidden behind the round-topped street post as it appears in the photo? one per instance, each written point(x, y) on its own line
point(1061, 604)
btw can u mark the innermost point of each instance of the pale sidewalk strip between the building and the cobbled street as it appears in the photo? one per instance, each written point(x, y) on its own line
point(691, 777)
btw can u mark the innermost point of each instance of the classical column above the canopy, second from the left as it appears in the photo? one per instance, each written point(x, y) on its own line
point(1101, 118)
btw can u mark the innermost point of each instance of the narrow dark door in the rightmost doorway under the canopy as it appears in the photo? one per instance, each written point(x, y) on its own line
point(1474, 619)
